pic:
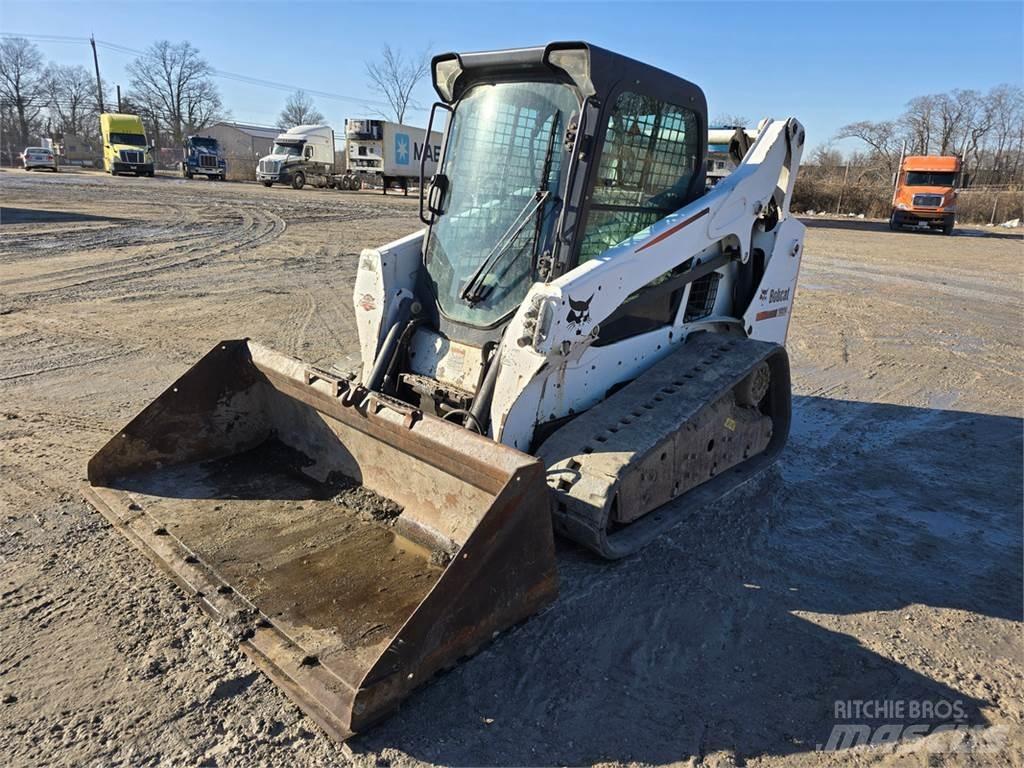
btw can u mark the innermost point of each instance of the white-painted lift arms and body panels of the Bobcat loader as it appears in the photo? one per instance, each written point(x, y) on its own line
point(560, 371)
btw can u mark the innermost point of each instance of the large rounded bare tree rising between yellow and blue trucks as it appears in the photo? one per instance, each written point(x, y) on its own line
point(178, 82)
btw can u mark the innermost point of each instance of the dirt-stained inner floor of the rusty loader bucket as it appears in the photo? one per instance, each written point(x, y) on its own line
point(322, 561)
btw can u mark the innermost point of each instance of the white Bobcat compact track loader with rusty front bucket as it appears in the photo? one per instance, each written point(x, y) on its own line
point(583, 339)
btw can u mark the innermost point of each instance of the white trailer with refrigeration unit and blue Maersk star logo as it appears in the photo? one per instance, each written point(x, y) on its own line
point(386, 153)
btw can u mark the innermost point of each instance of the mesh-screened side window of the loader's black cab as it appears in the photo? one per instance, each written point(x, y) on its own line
point(646, 173)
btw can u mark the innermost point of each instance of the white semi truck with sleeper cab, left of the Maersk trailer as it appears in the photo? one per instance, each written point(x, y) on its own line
point(303, 154)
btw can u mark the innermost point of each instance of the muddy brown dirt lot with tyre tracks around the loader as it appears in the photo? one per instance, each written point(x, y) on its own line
point(880, 563)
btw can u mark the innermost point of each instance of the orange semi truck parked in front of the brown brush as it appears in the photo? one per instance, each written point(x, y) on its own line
point(926, 193)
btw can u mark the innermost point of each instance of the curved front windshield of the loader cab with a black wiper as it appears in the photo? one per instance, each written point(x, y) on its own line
point(504, 168)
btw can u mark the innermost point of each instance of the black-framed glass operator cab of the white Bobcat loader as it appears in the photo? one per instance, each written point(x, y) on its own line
point(551, 156)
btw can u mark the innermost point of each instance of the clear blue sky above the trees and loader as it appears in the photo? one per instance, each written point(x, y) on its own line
point(827, 64)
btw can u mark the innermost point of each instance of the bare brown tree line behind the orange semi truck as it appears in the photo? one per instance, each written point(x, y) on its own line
point(988, 130)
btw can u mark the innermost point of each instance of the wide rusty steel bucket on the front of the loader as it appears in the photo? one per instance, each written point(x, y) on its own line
point(352, 544)
